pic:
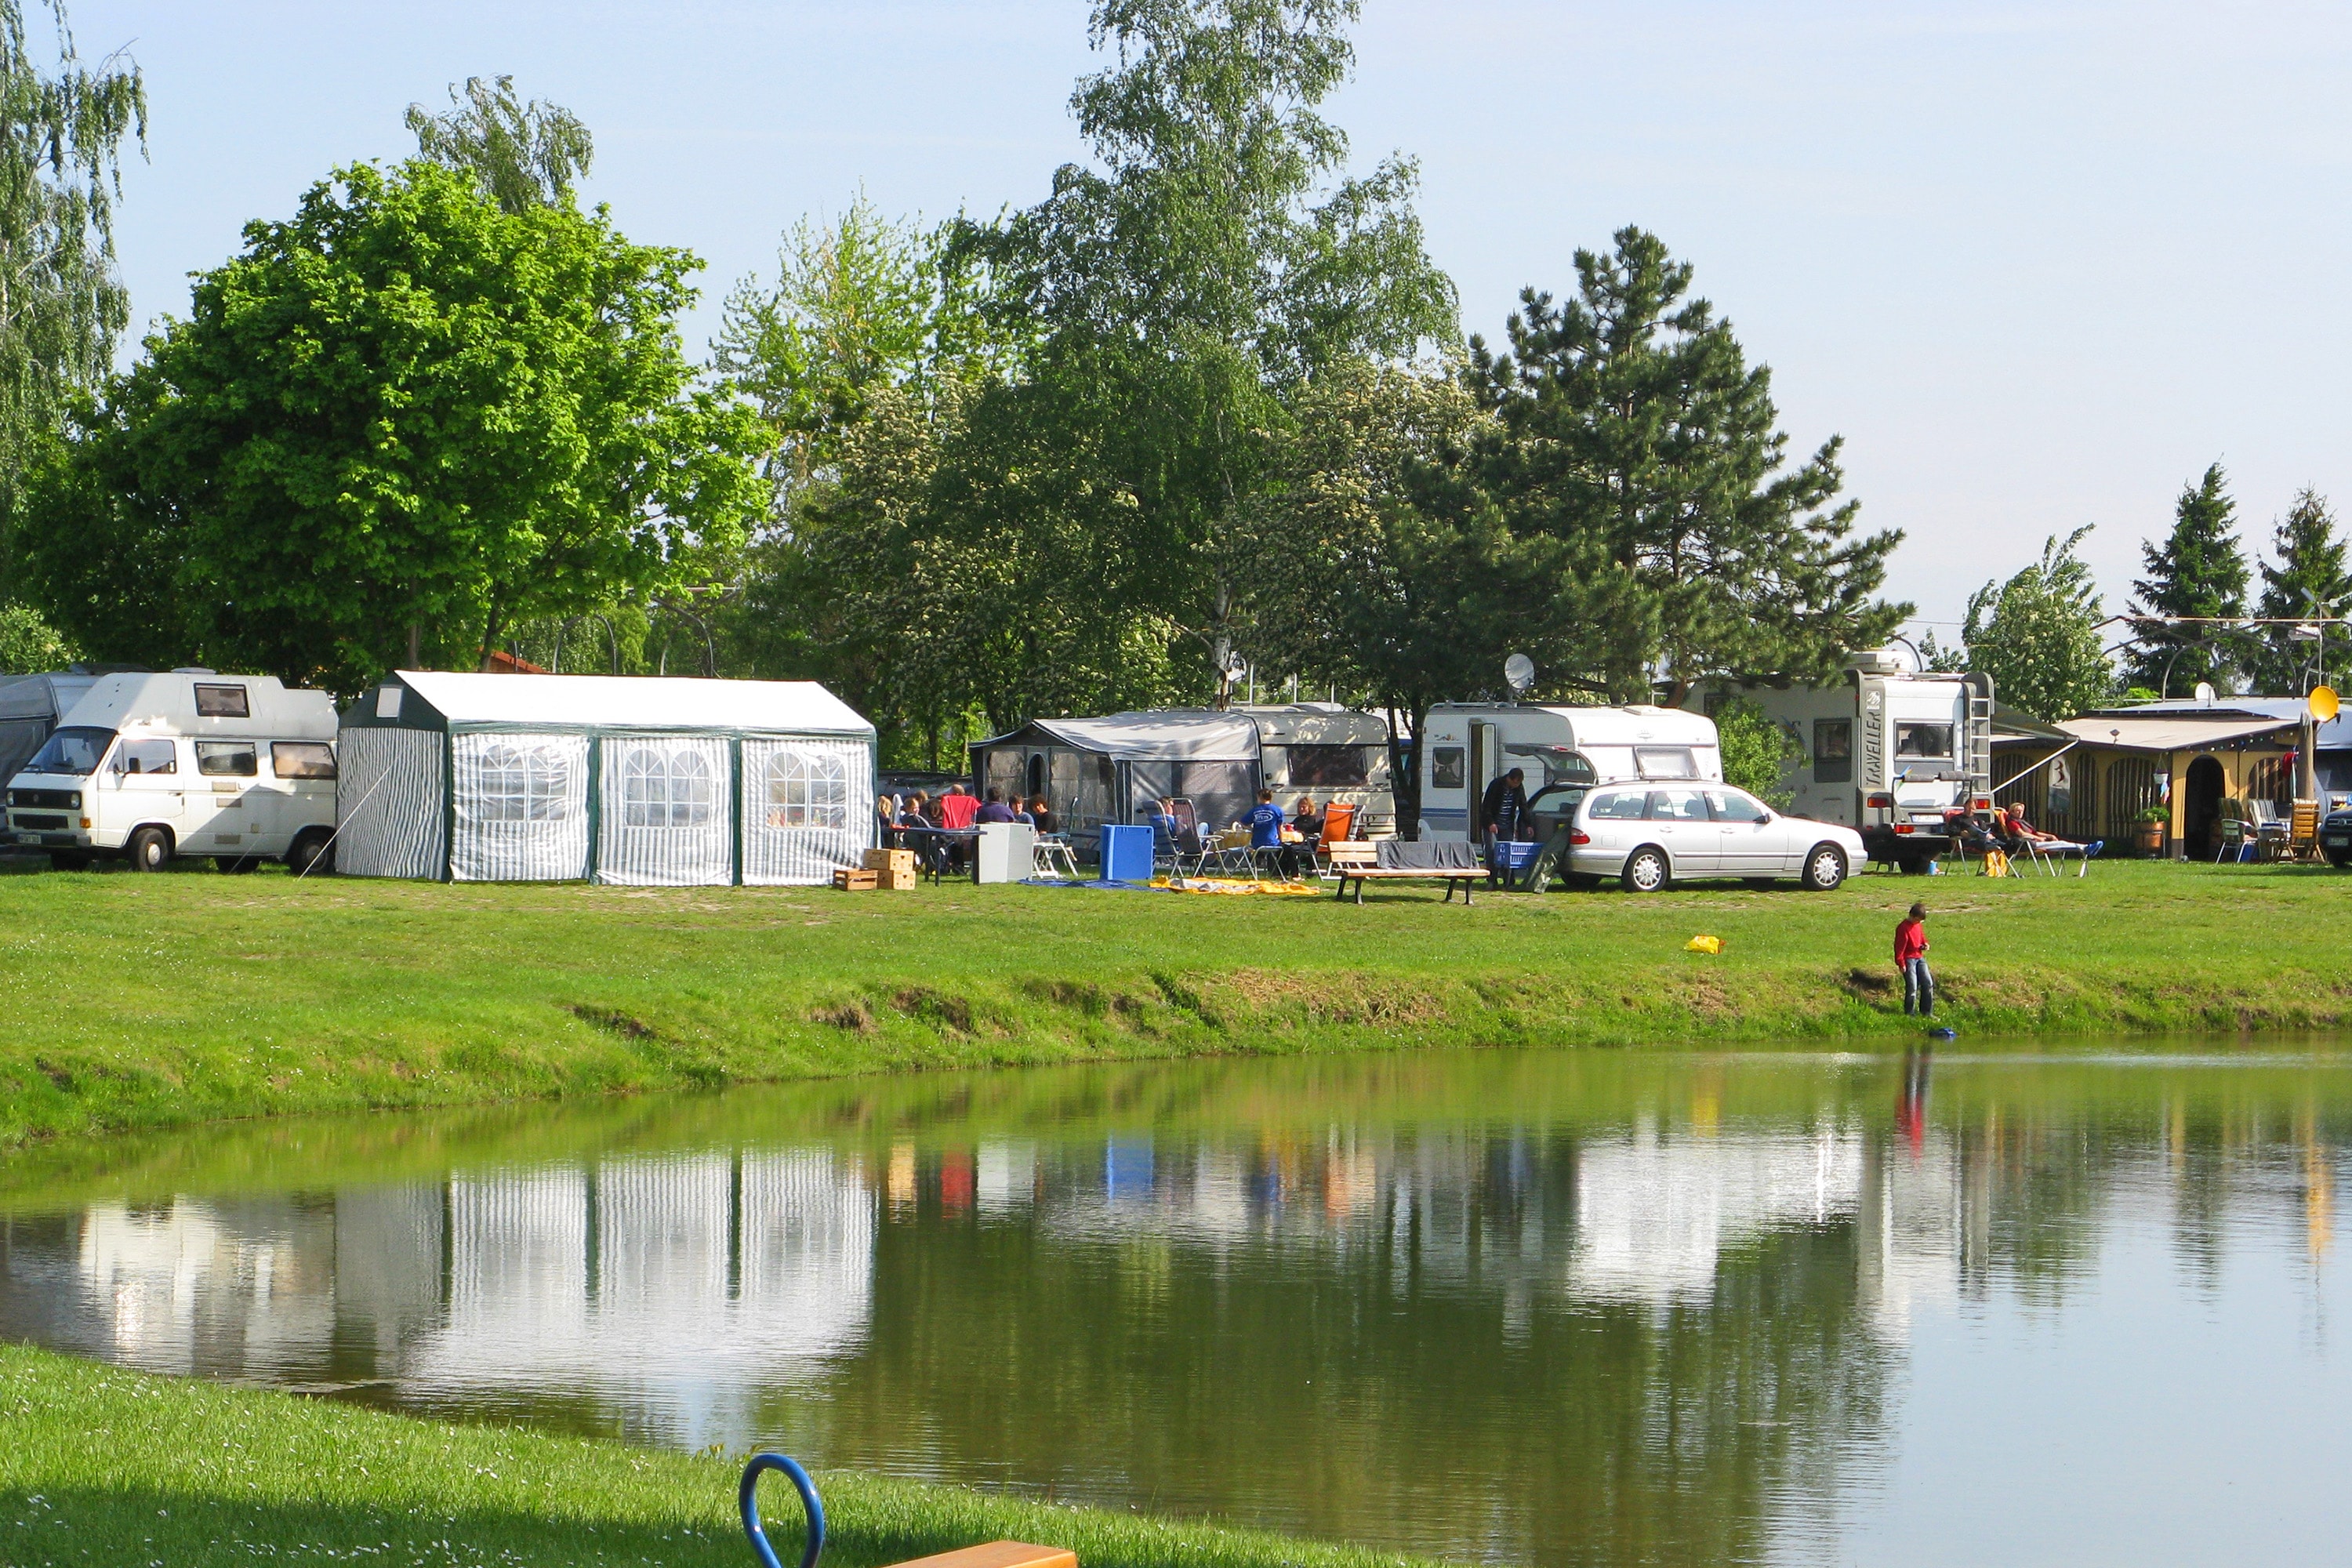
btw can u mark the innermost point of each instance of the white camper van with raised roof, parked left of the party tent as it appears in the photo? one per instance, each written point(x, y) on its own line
point(149, 768)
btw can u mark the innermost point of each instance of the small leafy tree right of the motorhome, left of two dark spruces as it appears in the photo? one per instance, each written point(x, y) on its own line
point(2038, 636)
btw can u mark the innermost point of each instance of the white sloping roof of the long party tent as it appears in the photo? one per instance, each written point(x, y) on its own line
point(636, 702)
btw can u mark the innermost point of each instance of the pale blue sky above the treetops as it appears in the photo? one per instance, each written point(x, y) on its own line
point(2038, 264)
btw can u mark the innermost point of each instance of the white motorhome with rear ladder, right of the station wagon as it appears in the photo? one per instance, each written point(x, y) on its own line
point(1887, 751)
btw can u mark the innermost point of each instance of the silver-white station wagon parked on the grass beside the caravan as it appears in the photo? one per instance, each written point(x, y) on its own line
point(1650, 836)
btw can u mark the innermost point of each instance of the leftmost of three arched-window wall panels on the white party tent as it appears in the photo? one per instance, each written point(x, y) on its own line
point(521, 808)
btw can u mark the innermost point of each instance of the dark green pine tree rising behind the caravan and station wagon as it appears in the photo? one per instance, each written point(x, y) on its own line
point(1636, 424)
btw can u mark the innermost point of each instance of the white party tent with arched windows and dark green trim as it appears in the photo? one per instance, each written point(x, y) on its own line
point(648, 782)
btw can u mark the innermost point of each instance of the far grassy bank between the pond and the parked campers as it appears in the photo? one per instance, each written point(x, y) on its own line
point(156, 1000)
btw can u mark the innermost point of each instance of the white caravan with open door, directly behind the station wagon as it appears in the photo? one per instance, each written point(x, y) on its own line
point(1563, 753)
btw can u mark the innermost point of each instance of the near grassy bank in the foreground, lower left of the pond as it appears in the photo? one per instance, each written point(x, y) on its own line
point(102, 1466)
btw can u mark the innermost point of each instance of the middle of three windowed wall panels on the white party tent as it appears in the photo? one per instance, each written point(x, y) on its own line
point(664, 812)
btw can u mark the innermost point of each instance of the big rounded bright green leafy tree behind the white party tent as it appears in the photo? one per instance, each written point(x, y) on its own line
point(403, 417)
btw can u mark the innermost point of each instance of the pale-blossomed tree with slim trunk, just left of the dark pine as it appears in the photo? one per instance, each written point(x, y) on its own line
point(1377, 565)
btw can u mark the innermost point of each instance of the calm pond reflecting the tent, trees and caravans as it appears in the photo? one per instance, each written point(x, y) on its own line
point(1523, 1308)
